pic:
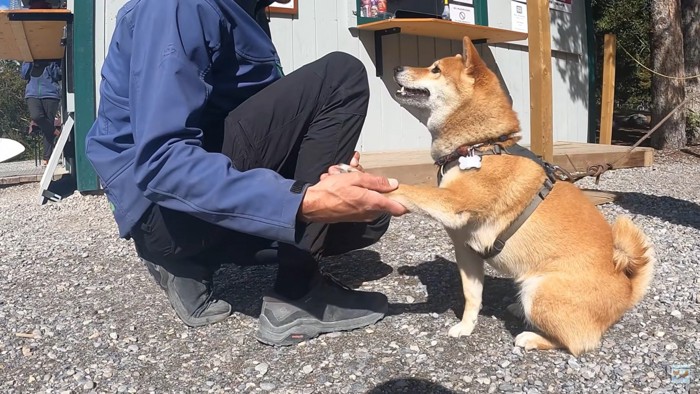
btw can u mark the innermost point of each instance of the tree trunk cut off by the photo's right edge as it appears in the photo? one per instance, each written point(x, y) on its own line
point(690, 11)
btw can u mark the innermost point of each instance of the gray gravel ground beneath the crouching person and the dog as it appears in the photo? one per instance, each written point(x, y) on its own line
point(78, 312)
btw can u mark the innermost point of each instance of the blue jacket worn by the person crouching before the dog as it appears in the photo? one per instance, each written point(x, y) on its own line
point(174, 70)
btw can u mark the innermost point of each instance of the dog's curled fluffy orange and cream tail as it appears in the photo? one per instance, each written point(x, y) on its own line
point(633, 254)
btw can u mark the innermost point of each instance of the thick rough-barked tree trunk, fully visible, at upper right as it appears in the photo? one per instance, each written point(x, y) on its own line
point(667, 59)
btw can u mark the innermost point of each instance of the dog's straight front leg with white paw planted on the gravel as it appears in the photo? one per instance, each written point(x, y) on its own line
point(471, 271)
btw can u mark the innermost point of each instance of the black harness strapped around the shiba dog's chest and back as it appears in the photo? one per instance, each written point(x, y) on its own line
point(446, 163)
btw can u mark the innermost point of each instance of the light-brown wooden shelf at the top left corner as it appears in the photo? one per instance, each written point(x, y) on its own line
point(29, 35)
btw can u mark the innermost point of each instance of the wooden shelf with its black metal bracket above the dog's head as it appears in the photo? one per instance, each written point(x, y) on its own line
point(436, 28)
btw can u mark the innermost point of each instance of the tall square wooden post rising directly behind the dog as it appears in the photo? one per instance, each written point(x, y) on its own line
point(540, 54)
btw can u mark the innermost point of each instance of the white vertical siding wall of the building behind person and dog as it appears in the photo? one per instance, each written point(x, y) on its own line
point(324, 26)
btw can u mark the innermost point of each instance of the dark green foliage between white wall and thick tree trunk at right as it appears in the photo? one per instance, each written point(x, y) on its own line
point(630, 21)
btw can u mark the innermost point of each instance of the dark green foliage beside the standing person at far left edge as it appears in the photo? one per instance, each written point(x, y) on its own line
point(14, 116)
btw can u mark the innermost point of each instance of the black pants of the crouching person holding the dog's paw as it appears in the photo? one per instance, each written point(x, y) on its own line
point(298, 127)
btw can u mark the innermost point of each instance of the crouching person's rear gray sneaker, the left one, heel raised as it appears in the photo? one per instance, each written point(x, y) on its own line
point(190, 296)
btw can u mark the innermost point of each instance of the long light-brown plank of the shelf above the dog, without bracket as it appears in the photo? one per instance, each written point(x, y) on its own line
point(439, 28)
